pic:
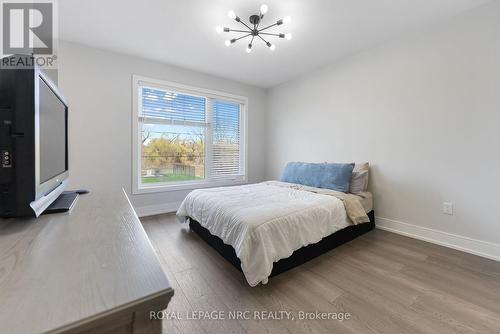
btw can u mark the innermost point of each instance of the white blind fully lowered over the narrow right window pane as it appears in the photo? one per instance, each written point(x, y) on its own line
point(225, 138)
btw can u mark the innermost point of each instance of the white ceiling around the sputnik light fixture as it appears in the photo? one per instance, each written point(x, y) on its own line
point(182, 32)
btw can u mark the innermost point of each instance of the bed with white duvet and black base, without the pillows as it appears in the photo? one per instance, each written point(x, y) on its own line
point(267, 228)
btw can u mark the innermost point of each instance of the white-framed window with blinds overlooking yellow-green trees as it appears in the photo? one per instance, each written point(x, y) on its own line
point(186, 137)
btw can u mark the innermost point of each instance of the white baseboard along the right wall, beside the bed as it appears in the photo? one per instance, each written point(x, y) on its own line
point(477, 247)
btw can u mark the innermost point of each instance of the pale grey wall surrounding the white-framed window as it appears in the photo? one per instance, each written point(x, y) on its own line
point(98, 86)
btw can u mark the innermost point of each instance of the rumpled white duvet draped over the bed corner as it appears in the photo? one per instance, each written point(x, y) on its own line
point(264, 222)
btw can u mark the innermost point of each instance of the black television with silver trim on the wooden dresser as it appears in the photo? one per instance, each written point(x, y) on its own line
point(34, 142)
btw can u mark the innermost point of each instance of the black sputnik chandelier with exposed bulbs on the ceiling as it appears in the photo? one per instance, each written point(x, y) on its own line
point(255, 31)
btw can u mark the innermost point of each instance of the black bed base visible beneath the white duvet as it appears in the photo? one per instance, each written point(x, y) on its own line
point(298, 257)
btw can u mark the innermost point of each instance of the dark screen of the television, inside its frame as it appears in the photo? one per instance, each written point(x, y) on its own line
point(52, 118)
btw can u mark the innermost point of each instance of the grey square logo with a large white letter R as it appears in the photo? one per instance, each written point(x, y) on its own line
point(27, 28)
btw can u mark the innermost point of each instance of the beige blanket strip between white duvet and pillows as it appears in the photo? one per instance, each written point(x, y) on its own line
point(353, 207)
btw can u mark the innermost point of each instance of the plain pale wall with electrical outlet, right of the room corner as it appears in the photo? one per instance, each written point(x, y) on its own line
point(424, 111)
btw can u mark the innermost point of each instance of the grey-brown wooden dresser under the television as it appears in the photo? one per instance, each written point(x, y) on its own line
point(89, 271)
